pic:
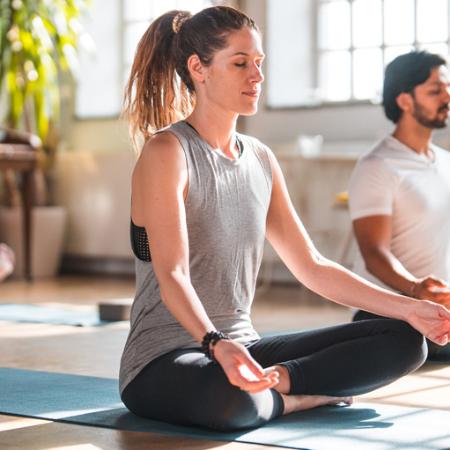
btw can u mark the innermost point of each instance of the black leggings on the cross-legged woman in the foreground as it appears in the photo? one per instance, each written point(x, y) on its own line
point(184, 387)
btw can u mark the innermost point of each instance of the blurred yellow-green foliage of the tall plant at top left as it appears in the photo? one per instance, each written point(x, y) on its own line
point(45, 41)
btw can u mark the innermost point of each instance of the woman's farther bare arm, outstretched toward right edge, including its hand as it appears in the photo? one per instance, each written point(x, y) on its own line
point(289, 238)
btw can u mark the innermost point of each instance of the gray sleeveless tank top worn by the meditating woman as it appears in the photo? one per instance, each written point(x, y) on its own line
point(226, 210)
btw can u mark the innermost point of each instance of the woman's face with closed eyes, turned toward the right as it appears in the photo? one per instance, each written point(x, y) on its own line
point(234, 77)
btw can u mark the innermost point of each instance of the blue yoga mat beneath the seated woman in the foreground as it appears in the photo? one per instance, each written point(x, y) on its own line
point(95, 401)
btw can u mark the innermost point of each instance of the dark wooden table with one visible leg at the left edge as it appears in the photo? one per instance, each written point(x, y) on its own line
point(22, 158)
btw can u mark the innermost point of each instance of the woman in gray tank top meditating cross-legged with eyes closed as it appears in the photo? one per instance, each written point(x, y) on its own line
point(206, 197)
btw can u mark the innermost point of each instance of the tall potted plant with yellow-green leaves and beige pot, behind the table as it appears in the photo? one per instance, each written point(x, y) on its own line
point(38, 43)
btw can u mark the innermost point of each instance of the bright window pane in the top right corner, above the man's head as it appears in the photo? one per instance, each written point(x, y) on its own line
point(432, 21)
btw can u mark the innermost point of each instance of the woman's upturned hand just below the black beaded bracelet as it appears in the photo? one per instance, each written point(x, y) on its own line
point(241, 369)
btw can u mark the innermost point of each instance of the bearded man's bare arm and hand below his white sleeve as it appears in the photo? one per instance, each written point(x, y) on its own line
point(373, 234)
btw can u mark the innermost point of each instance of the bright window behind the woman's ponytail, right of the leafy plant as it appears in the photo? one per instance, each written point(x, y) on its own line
point(116, 27)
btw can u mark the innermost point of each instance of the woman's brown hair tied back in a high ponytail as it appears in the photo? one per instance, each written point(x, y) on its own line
point(160, 90)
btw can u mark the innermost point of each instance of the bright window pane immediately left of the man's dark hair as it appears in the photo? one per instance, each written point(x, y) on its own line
point(367, 73)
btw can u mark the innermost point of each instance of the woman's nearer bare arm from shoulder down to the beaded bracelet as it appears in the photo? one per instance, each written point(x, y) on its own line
point(158, 185)
